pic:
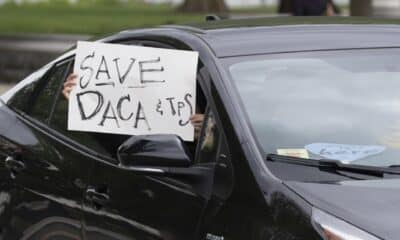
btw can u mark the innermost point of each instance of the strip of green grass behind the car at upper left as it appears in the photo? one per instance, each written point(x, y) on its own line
point(86, 18)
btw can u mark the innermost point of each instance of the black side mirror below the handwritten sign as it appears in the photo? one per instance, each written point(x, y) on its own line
point(154, 151)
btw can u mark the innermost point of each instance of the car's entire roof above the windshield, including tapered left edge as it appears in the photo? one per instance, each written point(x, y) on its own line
point(241, 37)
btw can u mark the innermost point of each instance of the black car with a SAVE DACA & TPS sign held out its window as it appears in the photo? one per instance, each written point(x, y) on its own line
point(301, 140)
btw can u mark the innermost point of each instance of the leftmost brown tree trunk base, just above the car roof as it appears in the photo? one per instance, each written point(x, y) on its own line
point(204, 6)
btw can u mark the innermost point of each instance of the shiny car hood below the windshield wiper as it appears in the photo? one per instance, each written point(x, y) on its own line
point(371, 205)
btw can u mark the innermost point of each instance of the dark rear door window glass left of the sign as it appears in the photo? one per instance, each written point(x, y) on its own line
point(43, 100)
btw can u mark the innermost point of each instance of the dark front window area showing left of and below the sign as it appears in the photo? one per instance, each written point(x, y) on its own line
point(102, 143)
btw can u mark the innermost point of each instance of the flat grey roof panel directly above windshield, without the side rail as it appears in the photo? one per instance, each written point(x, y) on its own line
point(266, 40)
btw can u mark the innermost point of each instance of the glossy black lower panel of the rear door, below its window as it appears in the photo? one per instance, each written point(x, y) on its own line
point(46, 202)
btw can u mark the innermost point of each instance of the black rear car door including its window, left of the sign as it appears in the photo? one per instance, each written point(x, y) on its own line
point(47, 173)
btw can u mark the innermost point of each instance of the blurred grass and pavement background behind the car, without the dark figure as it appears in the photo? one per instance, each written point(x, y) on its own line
point(32, 32)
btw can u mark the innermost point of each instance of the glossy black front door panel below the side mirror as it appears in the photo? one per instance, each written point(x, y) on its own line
point(143, 205)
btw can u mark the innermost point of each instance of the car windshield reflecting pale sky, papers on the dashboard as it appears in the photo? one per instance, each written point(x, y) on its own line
point(340, 105)
